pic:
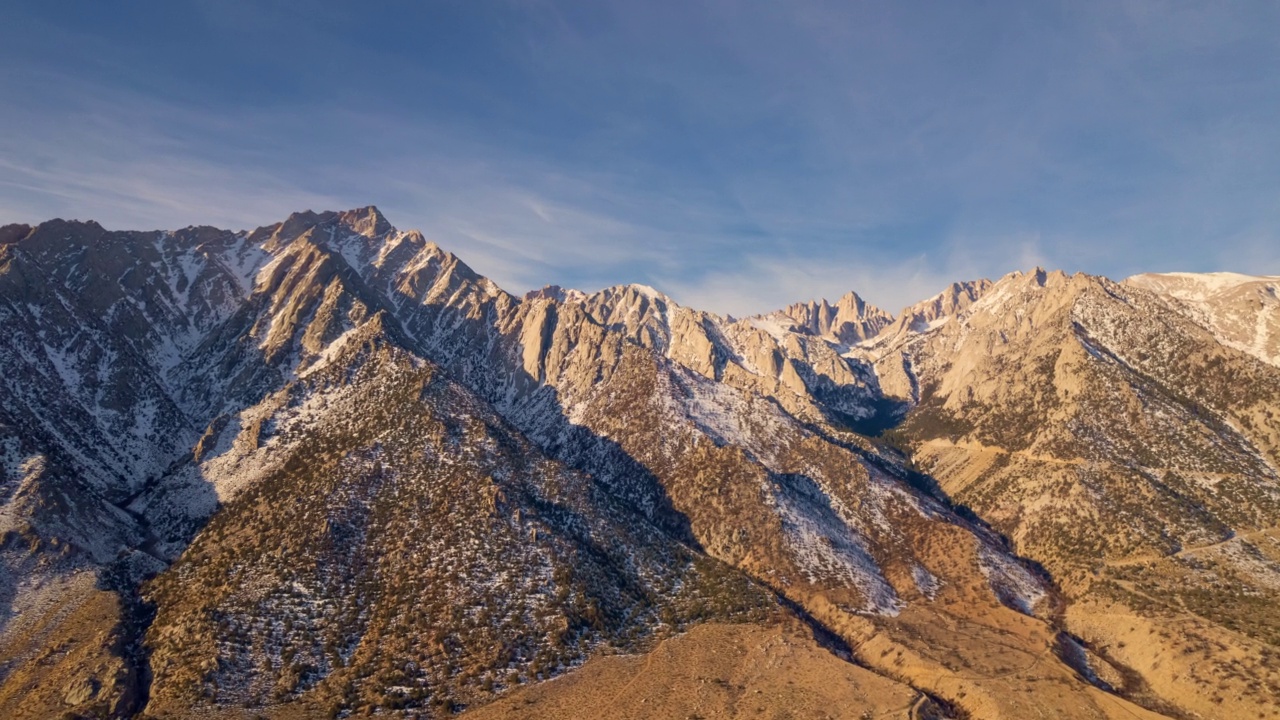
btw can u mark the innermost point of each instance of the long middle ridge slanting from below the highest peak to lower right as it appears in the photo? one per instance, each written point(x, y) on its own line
point(609, 385)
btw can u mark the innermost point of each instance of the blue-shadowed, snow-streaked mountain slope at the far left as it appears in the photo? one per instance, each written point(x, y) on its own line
point(97, 325)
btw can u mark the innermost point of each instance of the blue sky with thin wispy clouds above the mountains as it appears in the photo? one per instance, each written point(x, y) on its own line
point(738, 156)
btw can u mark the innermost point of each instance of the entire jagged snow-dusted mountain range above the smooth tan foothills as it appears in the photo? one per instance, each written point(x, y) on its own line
point(371, 479)
